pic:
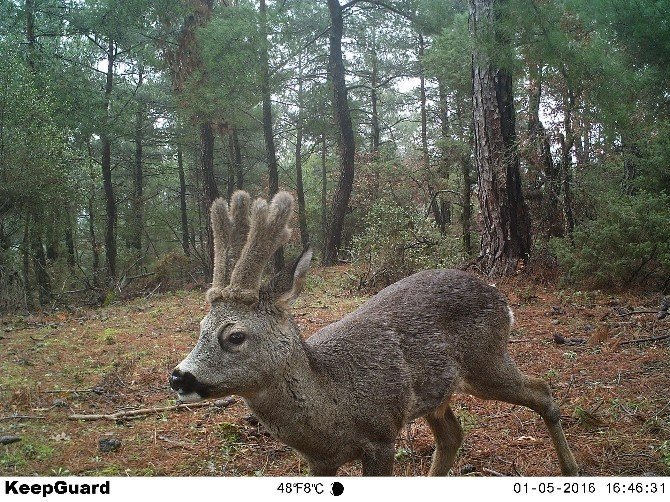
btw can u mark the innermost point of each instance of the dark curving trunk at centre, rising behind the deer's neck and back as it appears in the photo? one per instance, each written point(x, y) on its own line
point(347, 144)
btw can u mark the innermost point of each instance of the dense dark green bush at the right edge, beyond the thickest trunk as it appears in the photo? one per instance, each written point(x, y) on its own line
point(626, 243)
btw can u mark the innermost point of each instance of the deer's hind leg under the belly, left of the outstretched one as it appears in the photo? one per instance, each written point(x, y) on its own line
point(448, 438)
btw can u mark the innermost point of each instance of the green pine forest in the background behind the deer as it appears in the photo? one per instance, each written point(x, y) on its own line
point(414, 134)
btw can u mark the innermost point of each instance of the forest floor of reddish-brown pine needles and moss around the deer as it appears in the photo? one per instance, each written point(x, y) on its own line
point(613, 391)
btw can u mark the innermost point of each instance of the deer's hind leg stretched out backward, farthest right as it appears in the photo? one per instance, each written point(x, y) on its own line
point(506, 383)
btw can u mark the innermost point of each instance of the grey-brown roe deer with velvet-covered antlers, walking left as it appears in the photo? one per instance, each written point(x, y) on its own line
point(347, 391)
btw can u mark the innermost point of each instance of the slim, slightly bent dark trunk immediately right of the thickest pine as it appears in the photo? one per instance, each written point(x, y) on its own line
point(541, 160)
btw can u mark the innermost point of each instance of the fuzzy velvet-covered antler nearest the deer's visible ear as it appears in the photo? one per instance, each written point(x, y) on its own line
point(267, 233)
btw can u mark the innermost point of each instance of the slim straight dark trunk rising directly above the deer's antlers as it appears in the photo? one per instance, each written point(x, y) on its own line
point(268, 133)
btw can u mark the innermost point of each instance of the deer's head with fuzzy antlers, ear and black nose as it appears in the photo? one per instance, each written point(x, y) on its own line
point(248, 334)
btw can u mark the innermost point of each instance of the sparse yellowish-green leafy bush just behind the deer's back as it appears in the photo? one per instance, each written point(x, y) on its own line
point(398, 241)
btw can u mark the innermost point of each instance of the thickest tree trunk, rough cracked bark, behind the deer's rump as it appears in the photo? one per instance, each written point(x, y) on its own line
point(506, 232)
